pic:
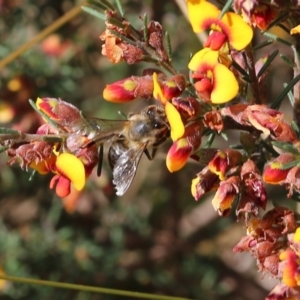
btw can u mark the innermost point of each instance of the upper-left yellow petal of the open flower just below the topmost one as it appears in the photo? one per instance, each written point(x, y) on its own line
point(205, 56)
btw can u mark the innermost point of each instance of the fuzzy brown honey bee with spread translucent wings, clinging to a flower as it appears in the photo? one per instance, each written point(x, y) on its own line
point(129, 139)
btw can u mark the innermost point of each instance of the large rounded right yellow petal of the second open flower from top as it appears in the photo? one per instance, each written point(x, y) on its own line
point(225, 85)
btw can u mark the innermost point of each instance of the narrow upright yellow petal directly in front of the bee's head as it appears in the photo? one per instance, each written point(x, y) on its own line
point(174, 118)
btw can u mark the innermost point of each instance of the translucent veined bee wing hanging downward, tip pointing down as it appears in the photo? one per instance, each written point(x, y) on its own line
point(125, 168)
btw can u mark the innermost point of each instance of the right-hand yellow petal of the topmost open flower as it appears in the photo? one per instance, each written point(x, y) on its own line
point(239, 33)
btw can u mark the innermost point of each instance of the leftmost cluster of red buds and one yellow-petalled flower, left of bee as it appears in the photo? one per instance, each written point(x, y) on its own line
point(59, 149)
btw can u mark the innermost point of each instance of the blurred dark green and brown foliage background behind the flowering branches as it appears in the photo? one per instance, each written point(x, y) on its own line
point(156, 238)
